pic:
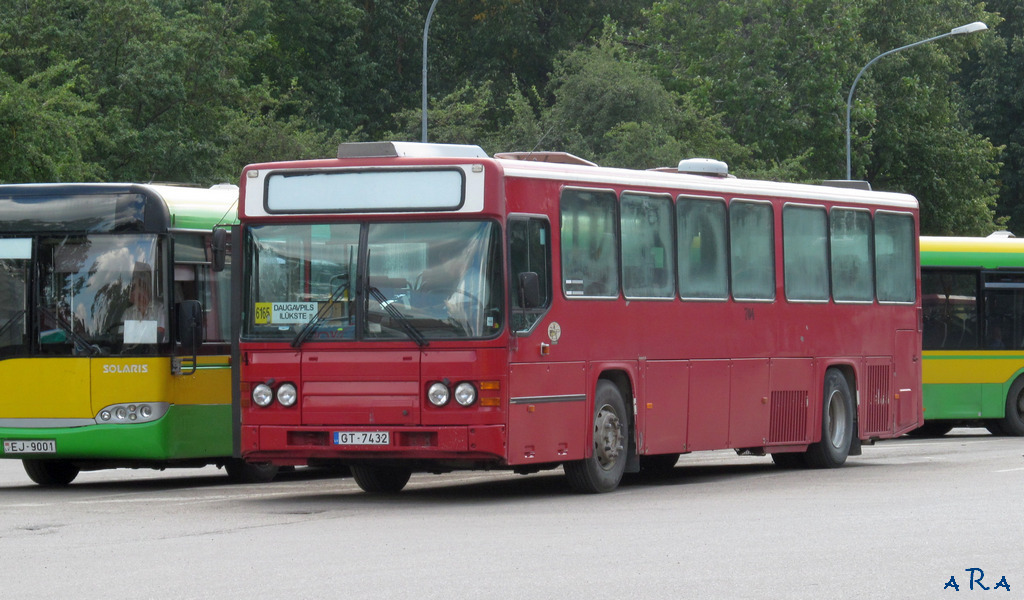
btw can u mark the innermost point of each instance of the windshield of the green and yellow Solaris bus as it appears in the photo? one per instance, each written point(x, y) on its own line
point(91, 295)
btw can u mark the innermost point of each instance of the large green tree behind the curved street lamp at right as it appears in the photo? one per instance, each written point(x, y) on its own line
point(780, 72)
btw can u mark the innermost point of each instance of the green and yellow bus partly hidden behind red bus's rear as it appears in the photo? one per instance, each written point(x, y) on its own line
point(973, 333)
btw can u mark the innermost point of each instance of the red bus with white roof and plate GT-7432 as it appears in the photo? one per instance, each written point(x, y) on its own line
point(416, 308)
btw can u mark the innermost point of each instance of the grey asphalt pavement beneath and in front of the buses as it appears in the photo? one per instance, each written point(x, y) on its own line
point(905, 521)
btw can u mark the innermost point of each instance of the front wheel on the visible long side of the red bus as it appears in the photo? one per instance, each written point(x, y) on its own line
point(604, 470)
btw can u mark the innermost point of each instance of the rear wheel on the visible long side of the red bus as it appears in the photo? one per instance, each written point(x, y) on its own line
point(838, 418)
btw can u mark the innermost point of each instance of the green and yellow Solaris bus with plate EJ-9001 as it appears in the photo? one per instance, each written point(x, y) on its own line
point(115, 329)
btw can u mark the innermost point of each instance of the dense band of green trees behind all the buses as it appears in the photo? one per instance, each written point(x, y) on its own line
point(192, 91)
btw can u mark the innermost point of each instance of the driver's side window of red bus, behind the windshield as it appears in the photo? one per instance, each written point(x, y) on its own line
point(530, 252)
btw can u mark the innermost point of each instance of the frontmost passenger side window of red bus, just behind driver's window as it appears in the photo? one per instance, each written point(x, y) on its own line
point(590, 254)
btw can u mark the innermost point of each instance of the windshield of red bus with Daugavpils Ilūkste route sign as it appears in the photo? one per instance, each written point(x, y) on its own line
point(395, 281)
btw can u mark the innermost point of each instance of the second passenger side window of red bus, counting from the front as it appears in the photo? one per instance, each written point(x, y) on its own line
point(646, 228)
